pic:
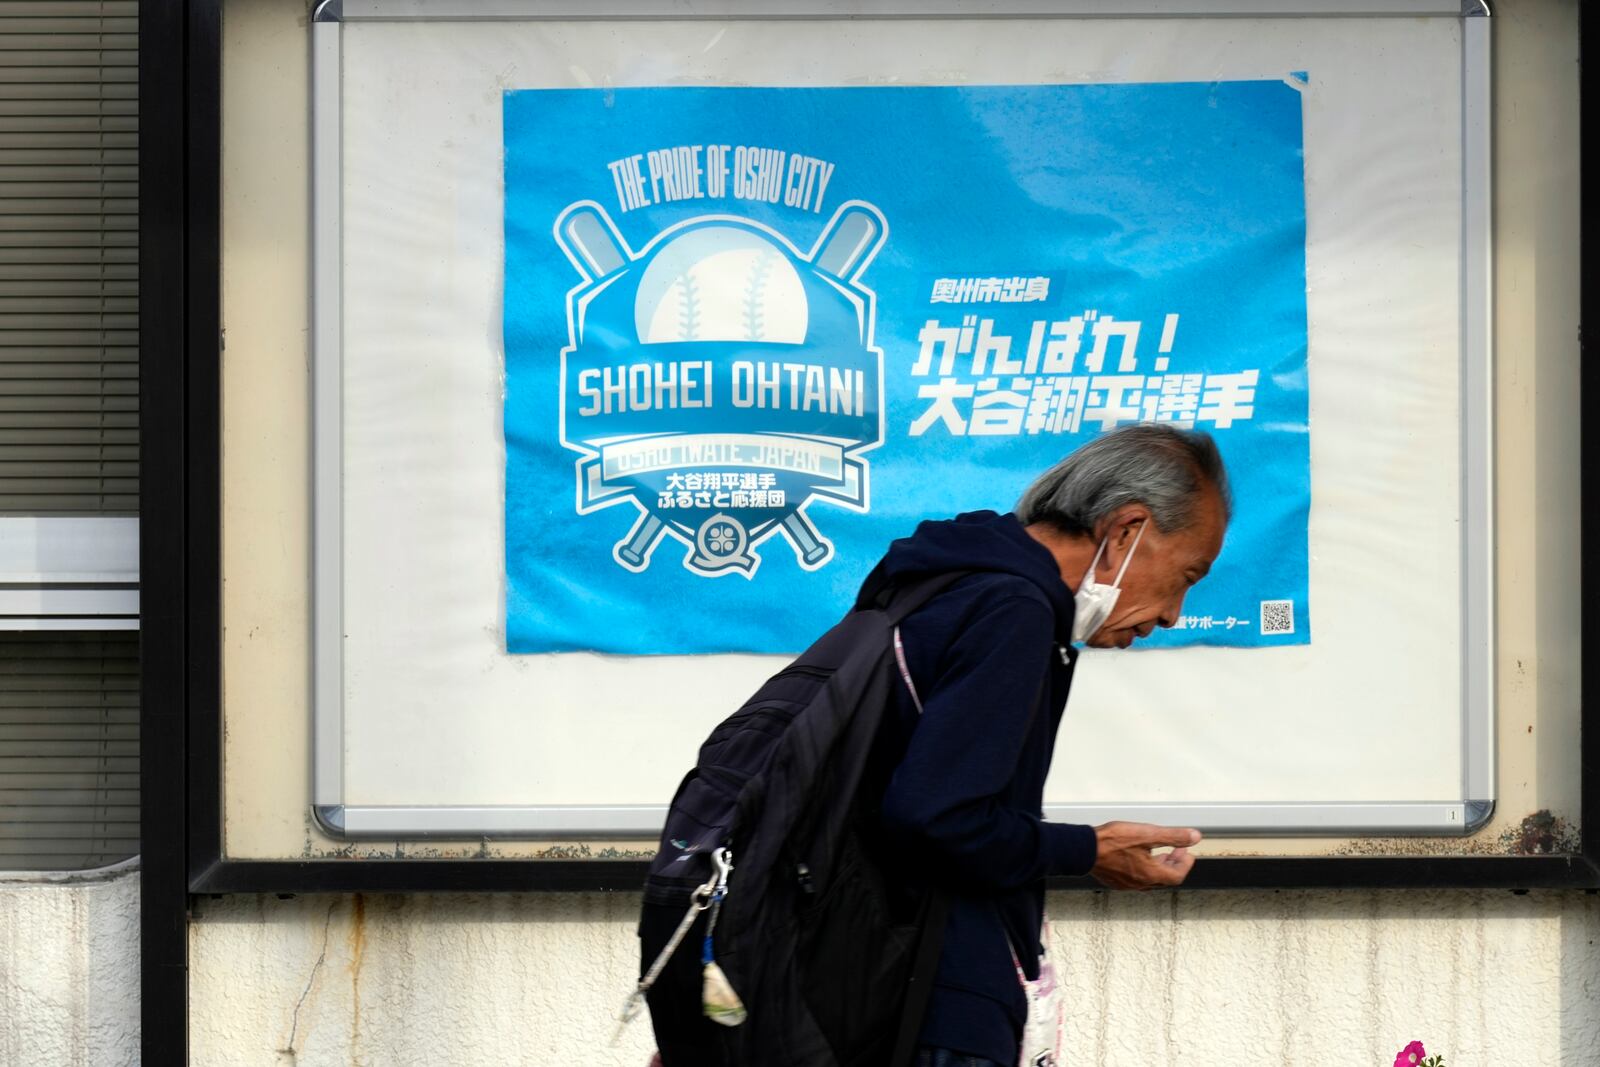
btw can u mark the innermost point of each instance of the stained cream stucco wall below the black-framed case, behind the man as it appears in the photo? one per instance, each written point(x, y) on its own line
point(1193, 980)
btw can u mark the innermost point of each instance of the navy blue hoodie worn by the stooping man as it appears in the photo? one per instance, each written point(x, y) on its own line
point(993, 663)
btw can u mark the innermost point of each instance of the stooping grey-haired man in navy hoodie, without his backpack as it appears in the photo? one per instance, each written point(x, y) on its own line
point(1102, 549)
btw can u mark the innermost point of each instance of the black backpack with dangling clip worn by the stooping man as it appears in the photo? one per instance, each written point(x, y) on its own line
point(831, 957)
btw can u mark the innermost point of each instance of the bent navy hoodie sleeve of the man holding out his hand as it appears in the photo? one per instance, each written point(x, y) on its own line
point(945, 797)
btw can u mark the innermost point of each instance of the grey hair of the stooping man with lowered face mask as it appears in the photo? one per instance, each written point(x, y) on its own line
point(1159, 466)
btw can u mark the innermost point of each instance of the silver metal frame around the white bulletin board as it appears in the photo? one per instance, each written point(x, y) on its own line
point(343, 818)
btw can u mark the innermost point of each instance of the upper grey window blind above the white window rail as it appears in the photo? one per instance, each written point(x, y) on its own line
point(70, 258)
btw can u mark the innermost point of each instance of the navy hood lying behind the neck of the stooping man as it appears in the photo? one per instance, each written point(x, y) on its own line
point(974, 541)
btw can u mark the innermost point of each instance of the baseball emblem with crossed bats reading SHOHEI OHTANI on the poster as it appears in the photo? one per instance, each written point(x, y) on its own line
point(722, 382)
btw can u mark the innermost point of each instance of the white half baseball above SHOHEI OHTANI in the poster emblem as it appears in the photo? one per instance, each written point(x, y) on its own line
point(721, 284)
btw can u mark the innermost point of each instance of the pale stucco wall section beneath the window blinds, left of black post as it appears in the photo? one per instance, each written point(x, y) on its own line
point(70, 969)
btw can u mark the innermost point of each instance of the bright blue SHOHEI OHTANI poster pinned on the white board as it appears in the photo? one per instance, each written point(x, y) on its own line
point(753, 335)
